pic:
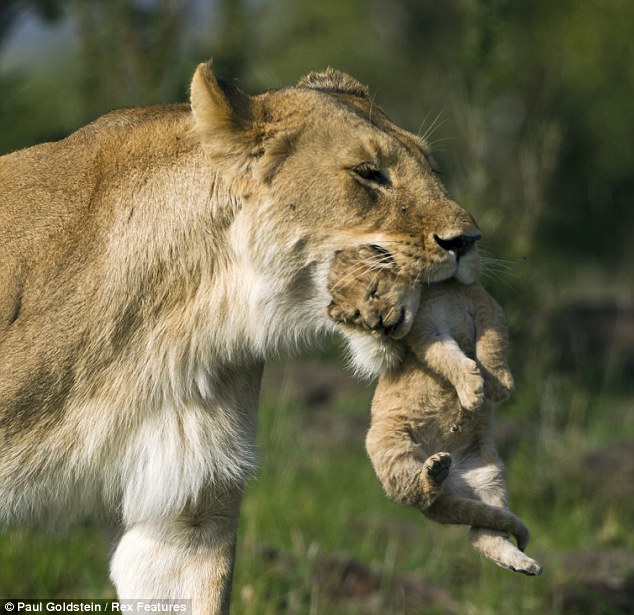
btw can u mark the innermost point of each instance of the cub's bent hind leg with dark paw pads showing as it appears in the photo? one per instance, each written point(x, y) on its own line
point(407, 476)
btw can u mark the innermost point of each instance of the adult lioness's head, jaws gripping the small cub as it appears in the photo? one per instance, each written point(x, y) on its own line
point(317, 168)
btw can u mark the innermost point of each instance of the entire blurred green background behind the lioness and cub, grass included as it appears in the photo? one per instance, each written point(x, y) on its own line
point(528, 105)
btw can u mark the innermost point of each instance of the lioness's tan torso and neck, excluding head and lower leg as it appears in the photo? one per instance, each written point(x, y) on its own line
point(149, 306)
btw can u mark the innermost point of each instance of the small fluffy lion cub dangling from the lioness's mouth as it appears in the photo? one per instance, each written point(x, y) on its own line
point(430, 439)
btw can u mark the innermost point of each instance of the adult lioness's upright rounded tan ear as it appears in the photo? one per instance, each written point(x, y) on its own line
point(222, 121)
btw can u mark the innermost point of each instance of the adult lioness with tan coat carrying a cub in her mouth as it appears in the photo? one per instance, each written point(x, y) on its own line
point(149, 265)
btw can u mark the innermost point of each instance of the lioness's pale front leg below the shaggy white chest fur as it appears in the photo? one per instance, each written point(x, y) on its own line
point(188, 557)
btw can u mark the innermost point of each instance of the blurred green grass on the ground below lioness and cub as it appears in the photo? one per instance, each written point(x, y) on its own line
point(316, 501)
